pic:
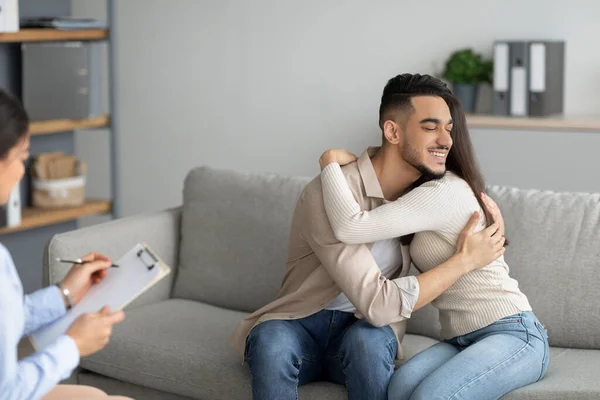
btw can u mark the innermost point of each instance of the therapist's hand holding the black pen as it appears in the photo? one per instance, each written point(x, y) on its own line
point(81, 277)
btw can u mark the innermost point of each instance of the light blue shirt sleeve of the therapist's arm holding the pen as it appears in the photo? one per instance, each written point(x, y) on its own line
point(42, 308)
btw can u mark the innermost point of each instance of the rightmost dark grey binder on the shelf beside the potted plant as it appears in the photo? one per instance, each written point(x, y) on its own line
point(546, 78)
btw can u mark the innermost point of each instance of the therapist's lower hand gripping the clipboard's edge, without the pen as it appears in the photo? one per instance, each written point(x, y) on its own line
point(91, 332)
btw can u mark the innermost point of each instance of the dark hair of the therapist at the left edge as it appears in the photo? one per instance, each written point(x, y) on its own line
point(14, 122)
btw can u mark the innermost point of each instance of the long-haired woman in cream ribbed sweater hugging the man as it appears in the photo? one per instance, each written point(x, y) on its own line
point(493, 343)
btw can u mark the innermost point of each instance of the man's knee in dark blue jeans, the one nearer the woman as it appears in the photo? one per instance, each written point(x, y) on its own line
point(364, 339)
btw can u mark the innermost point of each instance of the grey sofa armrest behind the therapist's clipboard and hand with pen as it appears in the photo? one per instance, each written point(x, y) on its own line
point(160, 230)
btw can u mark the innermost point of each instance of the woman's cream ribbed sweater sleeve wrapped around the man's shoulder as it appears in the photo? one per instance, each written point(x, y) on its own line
point(424, 208)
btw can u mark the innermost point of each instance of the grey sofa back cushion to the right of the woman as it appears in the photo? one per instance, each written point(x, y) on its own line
point(554, 253)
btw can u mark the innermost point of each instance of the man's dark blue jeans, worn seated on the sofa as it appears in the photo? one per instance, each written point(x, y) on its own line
point(327, 346)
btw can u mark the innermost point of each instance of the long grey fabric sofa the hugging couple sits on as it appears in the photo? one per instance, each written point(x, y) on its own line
point(227, 247)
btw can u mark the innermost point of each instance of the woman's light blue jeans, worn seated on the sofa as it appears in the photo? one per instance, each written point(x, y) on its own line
point(485, 364)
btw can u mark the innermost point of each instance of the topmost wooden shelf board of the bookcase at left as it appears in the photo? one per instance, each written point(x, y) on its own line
point(50, 35)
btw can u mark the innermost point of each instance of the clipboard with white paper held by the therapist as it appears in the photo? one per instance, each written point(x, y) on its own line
point(139, 269)
